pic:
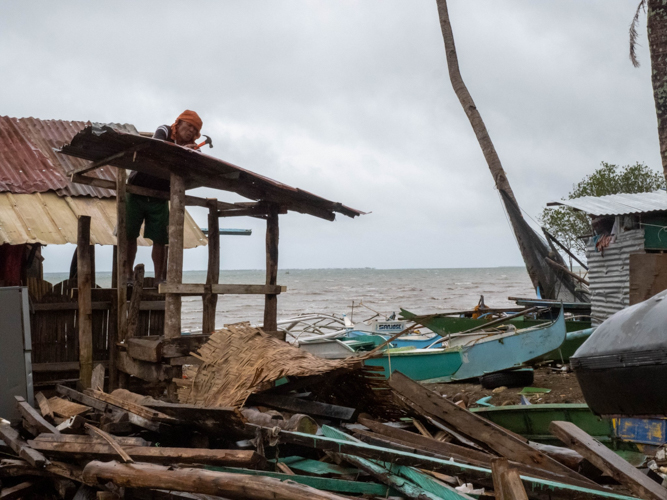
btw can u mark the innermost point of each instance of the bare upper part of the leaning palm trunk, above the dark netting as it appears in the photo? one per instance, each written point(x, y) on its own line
point(468, 104)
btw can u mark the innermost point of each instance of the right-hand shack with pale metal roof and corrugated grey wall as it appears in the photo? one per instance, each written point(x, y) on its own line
point(626, 255)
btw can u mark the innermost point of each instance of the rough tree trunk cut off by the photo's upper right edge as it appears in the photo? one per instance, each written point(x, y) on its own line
point(657, 42)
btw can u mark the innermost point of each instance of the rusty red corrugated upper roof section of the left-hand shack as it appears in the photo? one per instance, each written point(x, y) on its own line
point(29, 164)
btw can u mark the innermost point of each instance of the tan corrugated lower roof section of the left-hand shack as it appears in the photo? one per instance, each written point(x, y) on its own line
point(52, 220)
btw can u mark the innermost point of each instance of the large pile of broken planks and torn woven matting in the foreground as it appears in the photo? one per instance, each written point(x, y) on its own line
point(331, 432)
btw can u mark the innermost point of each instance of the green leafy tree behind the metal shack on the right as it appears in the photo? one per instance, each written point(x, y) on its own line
point(566, 224)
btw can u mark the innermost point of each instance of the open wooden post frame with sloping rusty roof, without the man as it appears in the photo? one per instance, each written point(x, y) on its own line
point(158, 359)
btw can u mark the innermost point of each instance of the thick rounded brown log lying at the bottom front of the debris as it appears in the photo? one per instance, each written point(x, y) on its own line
point(227, 485)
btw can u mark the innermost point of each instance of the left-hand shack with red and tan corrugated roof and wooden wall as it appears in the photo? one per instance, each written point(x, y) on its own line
point(39, 205)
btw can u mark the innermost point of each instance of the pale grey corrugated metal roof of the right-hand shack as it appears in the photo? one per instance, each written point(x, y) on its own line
point(618, 204)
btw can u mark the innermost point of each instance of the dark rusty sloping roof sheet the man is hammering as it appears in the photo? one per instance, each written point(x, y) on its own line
point(159, 158)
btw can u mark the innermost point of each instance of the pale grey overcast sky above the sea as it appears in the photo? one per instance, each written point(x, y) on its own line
point(351, 100)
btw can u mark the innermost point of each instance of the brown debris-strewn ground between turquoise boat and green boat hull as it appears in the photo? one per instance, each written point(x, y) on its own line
point(564, 389)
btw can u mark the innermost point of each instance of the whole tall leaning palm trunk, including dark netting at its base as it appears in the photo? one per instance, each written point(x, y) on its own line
point(548, 280)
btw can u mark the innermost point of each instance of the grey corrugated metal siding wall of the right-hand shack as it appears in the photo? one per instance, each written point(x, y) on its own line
point(609, 275)
